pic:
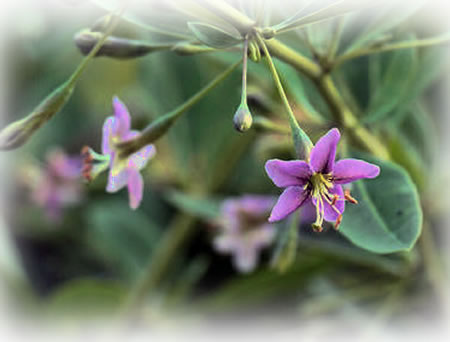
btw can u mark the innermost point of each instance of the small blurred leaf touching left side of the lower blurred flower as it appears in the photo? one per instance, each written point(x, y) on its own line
point(205, 208)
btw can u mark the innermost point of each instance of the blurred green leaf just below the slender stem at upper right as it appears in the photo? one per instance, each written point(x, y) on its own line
point(394, 86)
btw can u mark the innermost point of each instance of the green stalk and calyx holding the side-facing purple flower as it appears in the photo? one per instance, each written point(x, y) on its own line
point(160, 126)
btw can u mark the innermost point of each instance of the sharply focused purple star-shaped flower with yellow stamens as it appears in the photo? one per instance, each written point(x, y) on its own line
point(317, 183)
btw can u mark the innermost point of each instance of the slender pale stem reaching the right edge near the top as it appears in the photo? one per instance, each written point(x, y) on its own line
point(390, 47)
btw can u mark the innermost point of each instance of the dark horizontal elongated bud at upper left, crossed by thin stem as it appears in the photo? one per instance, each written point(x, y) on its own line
point(114, 47)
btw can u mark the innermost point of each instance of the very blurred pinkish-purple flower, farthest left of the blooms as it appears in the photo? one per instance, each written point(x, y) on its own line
point(57, 185)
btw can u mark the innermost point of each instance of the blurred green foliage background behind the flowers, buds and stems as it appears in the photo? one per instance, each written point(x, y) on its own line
point(88, 261)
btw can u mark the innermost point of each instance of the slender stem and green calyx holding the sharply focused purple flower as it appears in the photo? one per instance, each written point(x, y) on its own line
point(301, 139)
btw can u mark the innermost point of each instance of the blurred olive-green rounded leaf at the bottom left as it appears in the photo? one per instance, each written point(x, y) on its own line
point(86, 297)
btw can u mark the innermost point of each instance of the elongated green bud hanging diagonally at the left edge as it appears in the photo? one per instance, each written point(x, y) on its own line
point(17, 133)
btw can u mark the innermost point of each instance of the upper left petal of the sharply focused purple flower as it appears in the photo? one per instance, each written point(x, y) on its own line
point(288, 173)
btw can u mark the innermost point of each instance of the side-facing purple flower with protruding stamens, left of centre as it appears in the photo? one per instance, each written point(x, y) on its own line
point(122, 171)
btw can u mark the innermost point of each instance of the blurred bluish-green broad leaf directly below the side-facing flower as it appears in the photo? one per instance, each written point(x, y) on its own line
point(123, 238)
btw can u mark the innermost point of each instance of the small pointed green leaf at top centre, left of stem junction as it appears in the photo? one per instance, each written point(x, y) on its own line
point(214, 36)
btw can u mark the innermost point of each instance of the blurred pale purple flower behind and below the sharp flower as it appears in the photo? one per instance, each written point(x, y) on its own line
point(245, 230)
